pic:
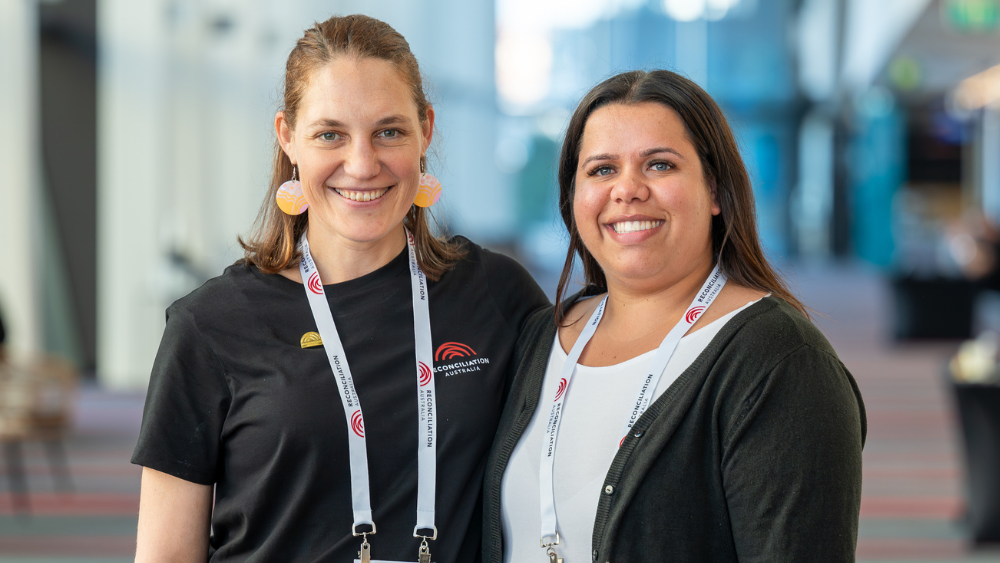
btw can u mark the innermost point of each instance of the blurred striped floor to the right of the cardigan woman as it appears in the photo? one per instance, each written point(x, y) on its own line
point(912, 499)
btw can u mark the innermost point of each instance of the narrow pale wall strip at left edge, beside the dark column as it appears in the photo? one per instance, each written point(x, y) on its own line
point(20, 217)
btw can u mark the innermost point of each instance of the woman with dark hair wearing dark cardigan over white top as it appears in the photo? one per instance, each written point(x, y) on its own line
point(681, 407)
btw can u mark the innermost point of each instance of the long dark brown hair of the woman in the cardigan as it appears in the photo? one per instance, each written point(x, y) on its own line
point(734, 230)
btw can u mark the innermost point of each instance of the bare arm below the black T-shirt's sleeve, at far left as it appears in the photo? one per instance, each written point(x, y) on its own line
point(174, 519)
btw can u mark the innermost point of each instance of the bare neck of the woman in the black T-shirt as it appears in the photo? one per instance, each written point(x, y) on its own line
point(338, 259)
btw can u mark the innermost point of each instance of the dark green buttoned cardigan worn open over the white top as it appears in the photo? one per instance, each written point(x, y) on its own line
point(752, 455)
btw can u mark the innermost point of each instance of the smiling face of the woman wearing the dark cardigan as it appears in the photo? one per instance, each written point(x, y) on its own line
point(642, 205)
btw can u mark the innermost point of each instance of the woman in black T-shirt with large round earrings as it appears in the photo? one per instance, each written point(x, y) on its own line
point(258, 387)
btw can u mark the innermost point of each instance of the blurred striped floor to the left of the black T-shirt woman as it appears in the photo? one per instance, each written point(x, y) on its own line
point(95, 522)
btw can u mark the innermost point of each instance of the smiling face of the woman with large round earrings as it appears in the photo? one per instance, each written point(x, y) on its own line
point(357, 142)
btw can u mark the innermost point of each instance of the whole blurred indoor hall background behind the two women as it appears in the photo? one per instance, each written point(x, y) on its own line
point(136, 145)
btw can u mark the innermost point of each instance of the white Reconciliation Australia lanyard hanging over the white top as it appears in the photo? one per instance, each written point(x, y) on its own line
point(706, 295)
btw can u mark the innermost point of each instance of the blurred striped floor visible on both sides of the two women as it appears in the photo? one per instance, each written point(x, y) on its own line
point(911, 507)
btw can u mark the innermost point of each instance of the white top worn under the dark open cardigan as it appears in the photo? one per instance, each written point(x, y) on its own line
point(588, 441)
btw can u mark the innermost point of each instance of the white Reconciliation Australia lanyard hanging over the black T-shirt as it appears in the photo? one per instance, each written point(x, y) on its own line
point(426, 400)
